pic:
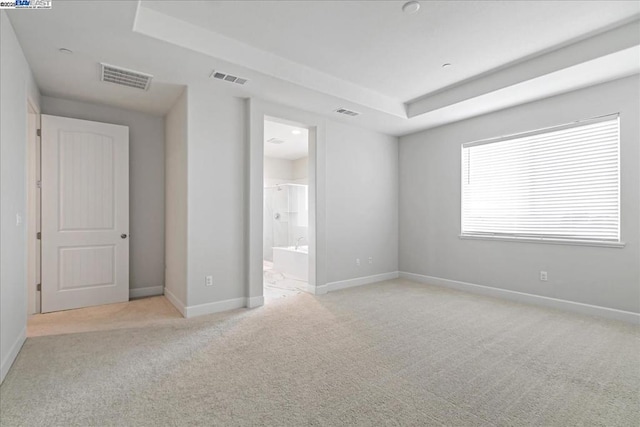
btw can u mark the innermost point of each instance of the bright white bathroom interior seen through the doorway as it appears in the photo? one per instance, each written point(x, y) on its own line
point(286, 209)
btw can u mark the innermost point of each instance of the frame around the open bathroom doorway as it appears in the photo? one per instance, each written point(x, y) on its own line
point(258, 111)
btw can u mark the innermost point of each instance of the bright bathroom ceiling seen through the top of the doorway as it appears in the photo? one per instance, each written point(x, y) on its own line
point(295, 140)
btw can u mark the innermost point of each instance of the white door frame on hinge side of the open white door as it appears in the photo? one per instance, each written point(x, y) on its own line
point(34, 211)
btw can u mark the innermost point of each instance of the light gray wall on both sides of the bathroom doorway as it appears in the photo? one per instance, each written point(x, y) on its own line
point(361, 206)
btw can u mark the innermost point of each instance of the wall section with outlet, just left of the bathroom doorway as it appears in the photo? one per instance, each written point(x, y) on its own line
point(216, 198)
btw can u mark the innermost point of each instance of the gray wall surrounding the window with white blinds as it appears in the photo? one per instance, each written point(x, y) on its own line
point(430, 207)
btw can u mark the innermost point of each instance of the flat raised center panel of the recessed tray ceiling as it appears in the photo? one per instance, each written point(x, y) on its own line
point(375, 45)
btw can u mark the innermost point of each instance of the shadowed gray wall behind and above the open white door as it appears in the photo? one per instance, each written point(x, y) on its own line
point(146, 182)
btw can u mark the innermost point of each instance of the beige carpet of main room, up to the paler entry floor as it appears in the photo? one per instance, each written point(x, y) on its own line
point(394, 353)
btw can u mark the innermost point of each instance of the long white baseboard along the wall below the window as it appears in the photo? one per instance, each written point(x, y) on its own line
point(593, 310)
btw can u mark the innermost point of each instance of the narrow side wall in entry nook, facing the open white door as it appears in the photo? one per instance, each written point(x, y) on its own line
point(176, 134)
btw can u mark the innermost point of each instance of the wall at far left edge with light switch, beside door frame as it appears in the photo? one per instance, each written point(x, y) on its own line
point(16, 85)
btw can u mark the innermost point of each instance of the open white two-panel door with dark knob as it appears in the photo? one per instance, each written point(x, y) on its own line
point(85, 213)
